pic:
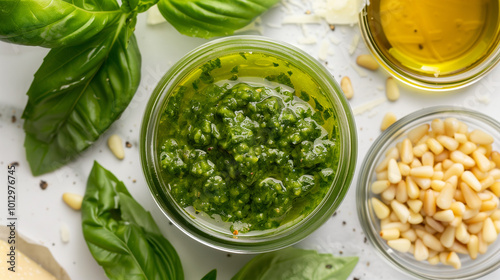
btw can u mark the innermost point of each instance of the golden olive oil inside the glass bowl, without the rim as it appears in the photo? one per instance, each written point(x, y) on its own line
point(435, 37)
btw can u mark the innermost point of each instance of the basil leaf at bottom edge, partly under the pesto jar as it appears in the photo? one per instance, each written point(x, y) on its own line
point(293, 263)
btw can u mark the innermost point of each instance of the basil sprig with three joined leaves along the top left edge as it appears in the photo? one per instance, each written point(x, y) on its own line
point(93, 70)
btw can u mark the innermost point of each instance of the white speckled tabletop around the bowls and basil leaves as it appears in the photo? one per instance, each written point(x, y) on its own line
point(42, 212)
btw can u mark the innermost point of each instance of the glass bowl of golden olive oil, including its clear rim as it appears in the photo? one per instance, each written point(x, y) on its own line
point(433, 45)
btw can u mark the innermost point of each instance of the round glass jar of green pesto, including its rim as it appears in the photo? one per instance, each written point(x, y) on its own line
point(248, 144)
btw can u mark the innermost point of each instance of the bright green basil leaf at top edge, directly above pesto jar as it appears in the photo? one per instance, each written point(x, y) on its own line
point(209, 18)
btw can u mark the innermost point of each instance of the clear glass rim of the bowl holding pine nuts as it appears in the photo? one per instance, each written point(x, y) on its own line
point(380, 145)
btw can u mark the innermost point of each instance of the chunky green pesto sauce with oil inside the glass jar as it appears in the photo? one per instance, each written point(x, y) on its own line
point(248, 147)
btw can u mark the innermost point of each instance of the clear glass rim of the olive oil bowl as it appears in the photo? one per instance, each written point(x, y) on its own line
point(433, 84)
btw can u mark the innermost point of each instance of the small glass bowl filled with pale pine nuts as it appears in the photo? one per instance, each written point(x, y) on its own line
point(428, 193)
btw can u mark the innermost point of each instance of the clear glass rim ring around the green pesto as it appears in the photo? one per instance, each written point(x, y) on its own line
point(348, 136)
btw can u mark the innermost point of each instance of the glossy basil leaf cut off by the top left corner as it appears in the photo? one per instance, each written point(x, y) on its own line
point(55, 23)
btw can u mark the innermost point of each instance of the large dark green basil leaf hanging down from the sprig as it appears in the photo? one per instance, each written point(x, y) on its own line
point(76, 94)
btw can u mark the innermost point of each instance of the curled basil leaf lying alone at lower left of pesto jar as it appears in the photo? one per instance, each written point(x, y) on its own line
point(123, 237)
